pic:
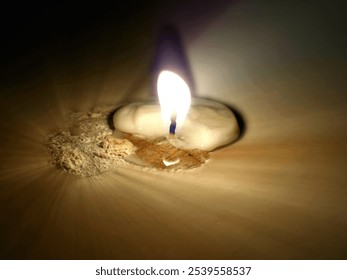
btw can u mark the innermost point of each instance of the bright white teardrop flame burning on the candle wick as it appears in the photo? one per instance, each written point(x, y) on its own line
point(174, 97)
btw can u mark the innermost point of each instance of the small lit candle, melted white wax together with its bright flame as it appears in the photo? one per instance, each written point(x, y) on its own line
point(200, 124)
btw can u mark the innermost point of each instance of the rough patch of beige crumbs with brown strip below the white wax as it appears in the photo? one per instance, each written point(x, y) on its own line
point(87, 148)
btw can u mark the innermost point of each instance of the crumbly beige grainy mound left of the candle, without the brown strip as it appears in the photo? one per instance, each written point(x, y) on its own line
point(87, 148)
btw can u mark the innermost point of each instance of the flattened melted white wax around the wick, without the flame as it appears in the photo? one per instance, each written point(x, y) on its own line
point(207, 126)
